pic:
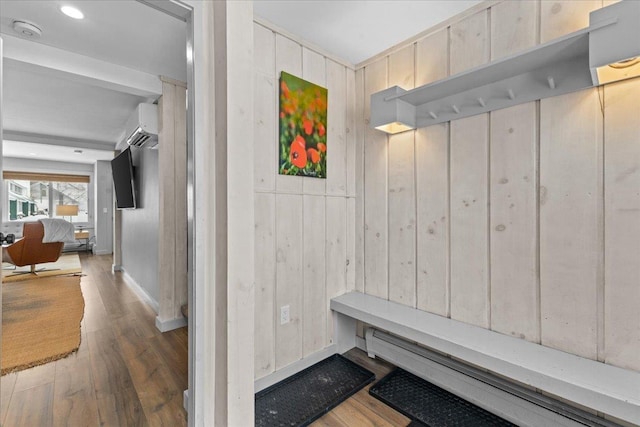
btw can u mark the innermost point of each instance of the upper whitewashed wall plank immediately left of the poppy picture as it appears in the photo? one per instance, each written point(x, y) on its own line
point(265, 107)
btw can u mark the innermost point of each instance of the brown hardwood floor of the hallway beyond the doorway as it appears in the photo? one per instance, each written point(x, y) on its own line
point(126, 373)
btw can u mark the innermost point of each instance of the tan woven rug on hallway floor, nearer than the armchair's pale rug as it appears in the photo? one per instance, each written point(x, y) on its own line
point(40, 321)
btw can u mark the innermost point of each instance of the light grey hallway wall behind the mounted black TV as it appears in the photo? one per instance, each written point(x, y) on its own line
point(140, 231)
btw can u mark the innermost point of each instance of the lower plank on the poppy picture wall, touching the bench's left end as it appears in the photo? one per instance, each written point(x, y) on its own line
point(336, 254)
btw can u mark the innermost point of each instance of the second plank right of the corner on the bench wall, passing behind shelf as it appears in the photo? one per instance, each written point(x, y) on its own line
point(402, 193)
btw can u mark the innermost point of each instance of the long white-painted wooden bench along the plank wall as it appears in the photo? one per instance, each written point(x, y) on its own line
point(602, 387)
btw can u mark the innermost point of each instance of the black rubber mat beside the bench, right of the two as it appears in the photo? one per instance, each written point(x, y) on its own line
point(429, 405)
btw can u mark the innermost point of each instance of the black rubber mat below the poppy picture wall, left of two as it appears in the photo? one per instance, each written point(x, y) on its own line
point(306, 396)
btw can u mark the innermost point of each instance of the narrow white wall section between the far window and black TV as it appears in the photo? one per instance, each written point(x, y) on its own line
point(103, 201)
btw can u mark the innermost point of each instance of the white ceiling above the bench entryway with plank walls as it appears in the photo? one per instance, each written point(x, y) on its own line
point(356, 30)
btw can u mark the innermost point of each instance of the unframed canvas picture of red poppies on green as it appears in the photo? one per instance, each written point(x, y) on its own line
point(303, 128)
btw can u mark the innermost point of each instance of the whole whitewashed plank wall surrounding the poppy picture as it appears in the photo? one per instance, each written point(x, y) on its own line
point(305, 228)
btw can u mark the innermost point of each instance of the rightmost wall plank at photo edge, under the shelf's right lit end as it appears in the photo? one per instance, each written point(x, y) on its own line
point(622, 226)
